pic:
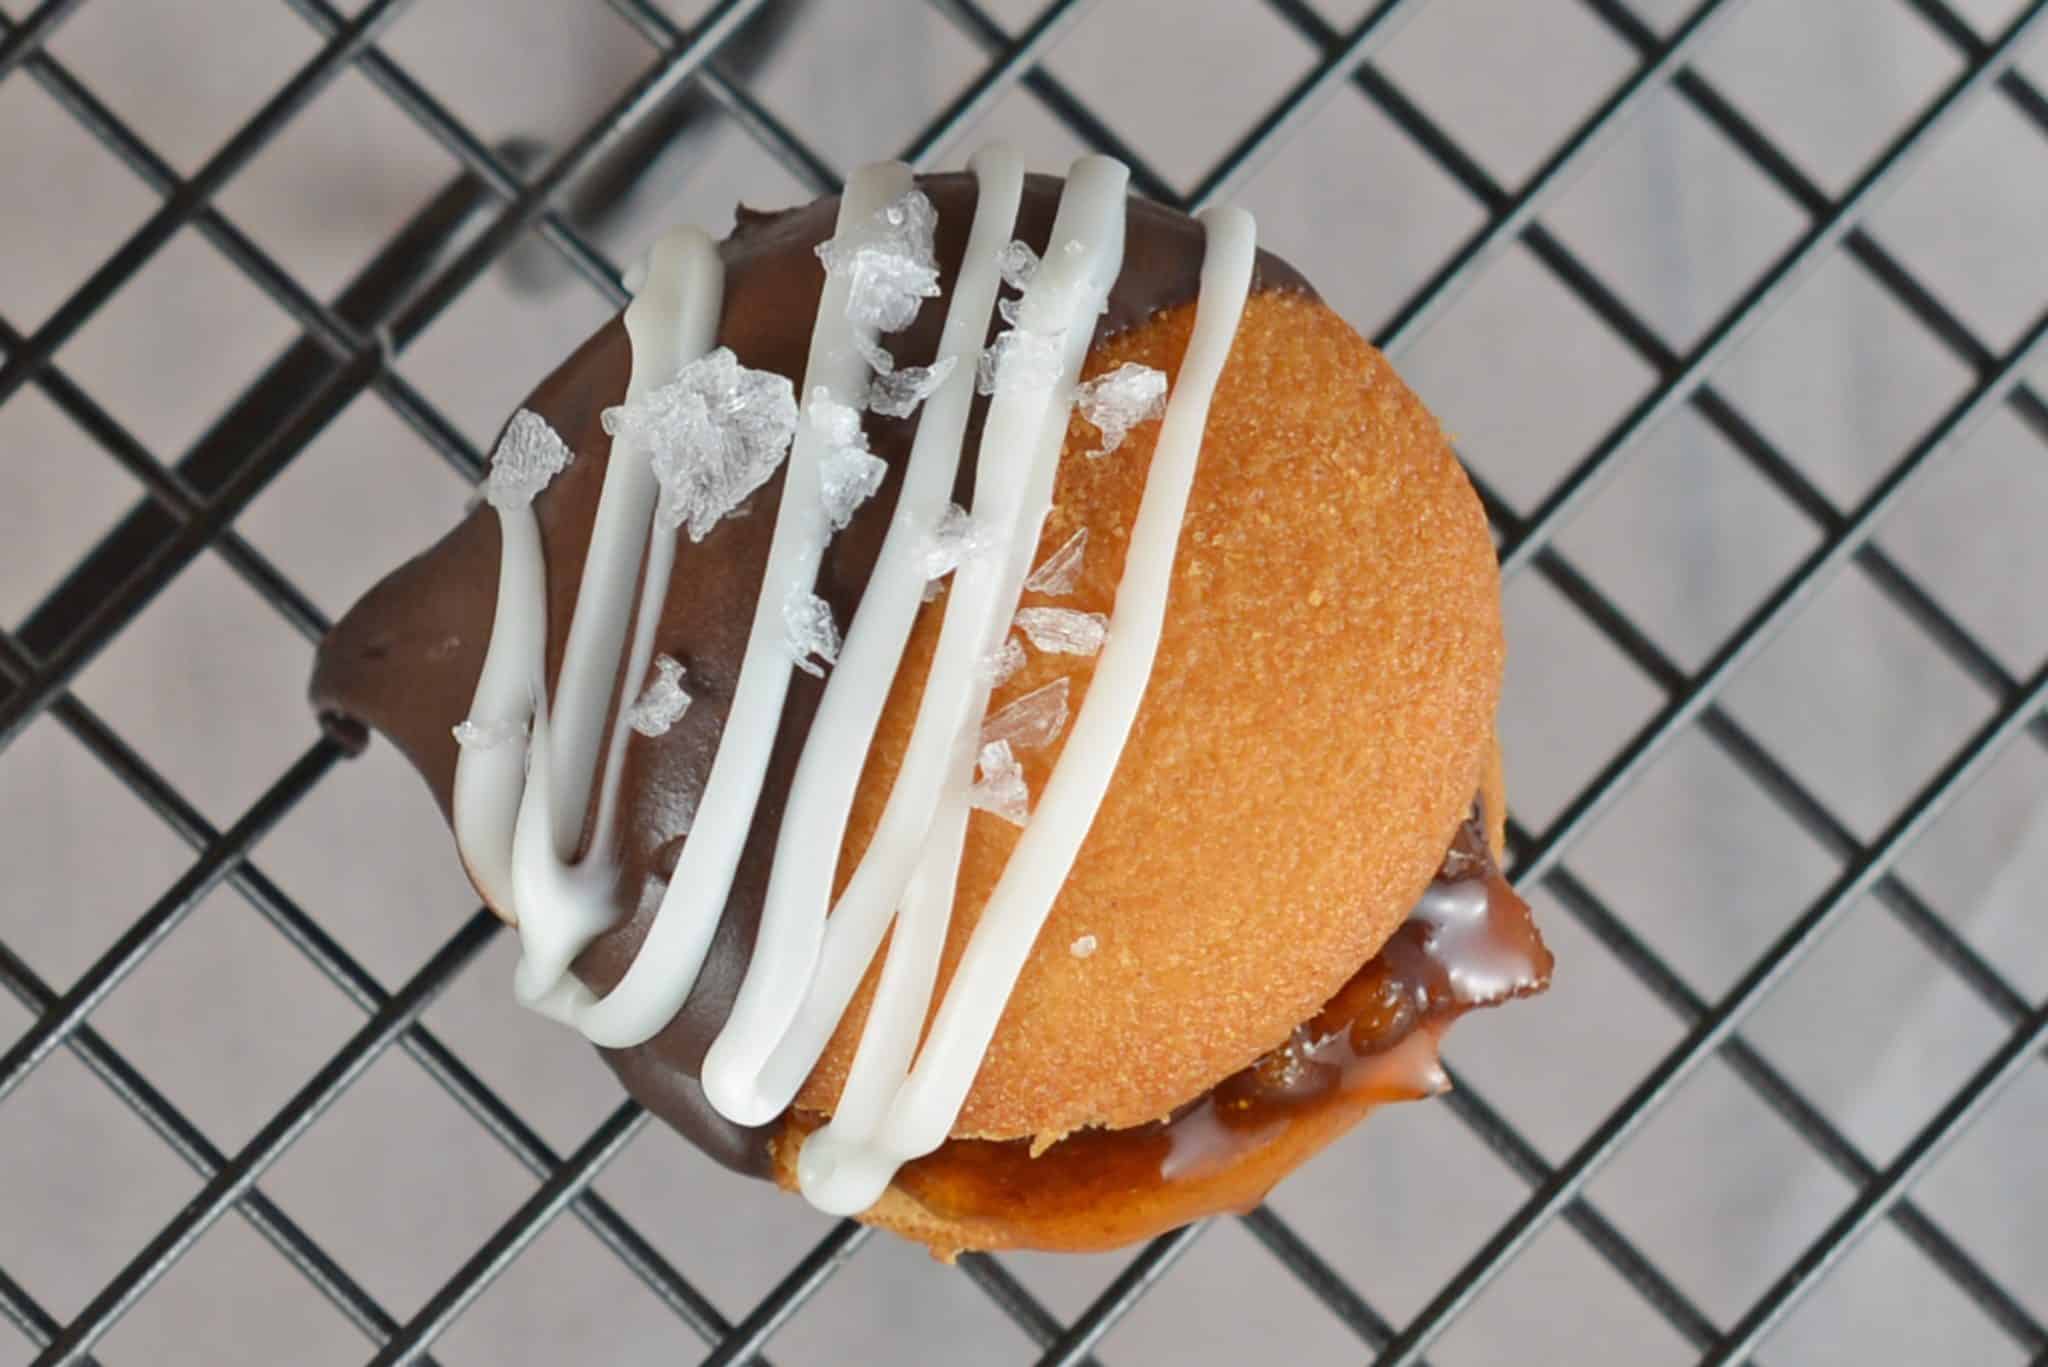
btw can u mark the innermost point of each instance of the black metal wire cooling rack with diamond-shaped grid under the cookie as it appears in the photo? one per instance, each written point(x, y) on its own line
point(351, 345)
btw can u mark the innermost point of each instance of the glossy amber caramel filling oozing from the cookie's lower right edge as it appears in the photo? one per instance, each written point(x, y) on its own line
point(1469, 944)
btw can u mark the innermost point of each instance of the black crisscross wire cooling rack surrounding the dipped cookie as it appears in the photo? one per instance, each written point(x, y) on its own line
point(513, 194)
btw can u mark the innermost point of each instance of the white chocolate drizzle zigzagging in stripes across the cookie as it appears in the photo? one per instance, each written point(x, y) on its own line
point(521, 813)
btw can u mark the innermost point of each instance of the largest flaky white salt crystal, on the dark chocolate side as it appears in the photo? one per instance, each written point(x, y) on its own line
point(714, 436)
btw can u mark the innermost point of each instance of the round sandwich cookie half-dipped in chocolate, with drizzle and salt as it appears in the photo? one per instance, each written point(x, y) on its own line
point(978, 694)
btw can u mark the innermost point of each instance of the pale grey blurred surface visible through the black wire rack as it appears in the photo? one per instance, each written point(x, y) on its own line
point(400, 1186)
